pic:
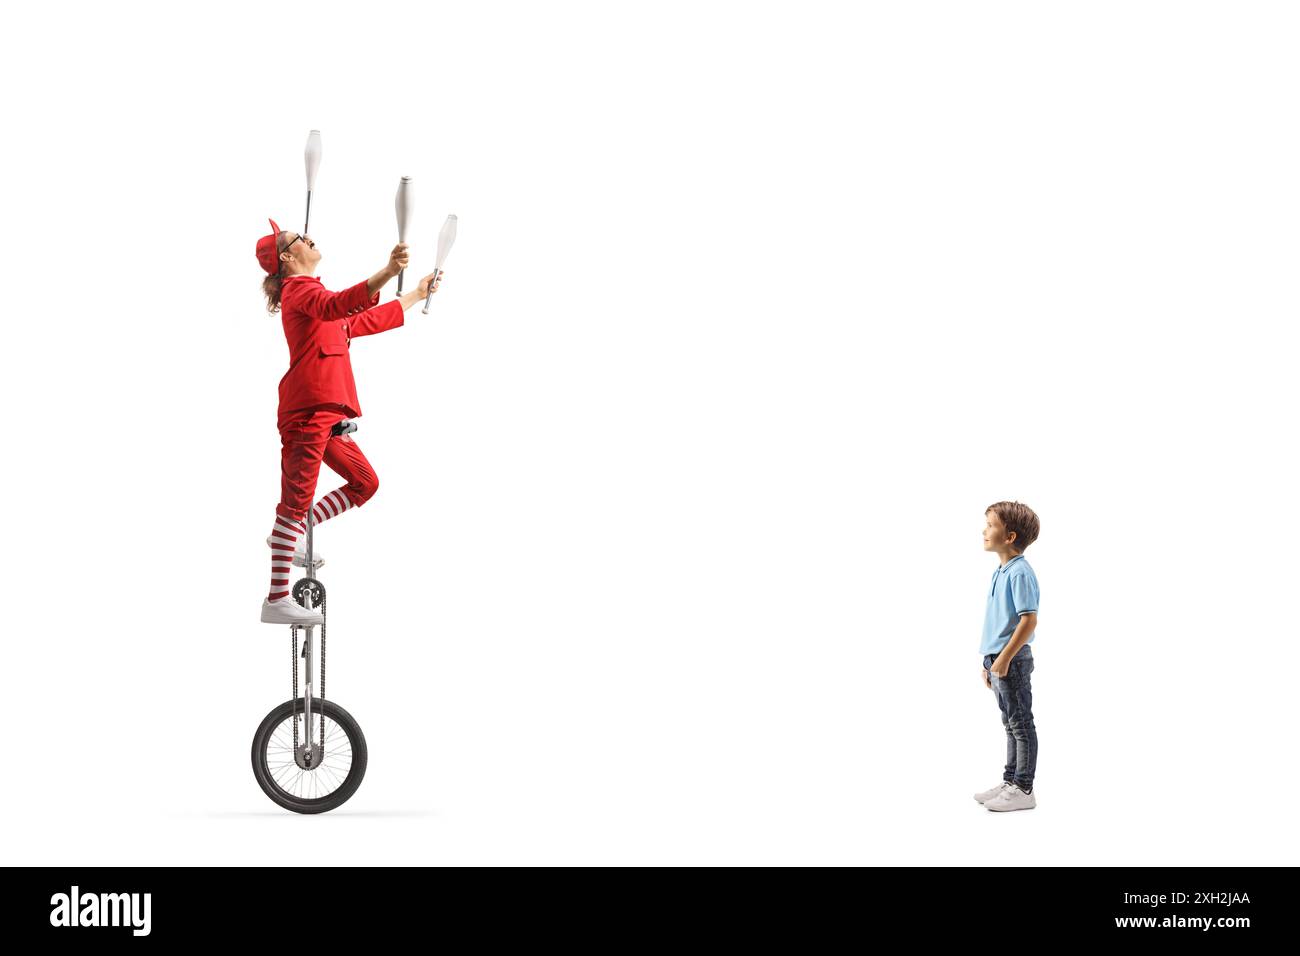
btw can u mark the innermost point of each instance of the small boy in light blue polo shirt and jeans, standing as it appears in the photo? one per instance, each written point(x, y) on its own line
point(1009, 621)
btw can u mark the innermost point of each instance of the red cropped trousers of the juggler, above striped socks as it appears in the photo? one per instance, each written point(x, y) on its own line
point(306, 442)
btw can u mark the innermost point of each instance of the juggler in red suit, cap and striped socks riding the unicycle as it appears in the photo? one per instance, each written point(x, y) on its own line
point(318, 392)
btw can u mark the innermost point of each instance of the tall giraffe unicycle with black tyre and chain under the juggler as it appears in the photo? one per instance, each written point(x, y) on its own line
point(310, 755)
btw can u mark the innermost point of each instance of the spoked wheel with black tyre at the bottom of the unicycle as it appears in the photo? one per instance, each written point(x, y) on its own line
point(307, 781)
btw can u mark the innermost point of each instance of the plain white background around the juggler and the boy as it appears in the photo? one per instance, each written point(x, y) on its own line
point(677, 553)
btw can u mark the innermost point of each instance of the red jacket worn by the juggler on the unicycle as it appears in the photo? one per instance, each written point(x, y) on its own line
point(319, 327)
